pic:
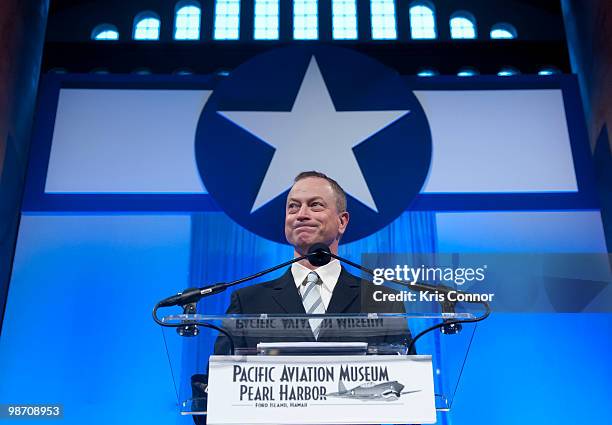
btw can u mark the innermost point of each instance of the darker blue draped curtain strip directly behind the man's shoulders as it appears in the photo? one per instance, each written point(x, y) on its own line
point(222, 251)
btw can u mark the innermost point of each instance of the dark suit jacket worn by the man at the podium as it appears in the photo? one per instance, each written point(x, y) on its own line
point(281, 296)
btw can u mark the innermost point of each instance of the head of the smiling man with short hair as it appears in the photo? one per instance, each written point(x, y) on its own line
point(315, 212)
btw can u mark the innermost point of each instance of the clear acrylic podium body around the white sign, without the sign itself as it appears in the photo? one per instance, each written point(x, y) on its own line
point(190, 345)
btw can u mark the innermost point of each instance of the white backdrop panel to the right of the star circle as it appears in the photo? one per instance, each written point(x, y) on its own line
point(498, 141)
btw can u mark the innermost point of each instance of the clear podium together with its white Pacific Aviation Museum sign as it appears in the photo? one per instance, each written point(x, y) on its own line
point(265, 339)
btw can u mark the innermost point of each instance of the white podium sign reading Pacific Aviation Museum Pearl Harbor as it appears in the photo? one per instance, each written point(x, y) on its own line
point(321, 390)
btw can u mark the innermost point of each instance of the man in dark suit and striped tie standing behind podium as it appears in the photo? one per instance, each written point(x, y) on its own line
point(315, 213)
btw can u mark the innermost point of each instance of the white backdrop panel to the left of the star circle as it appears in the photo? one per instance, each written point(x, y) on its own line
point(125, 141)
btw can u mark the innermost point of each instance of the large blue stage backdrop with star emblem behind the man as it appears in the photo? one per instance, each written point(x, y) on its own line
point(121, 211)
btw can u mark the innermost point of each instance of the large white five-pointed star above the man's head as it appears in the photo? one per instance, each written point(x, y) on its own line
point(313, 136)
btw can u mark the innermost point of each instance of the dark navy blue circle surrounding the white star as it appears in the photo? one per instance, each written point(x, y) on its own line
point(233, 163)
